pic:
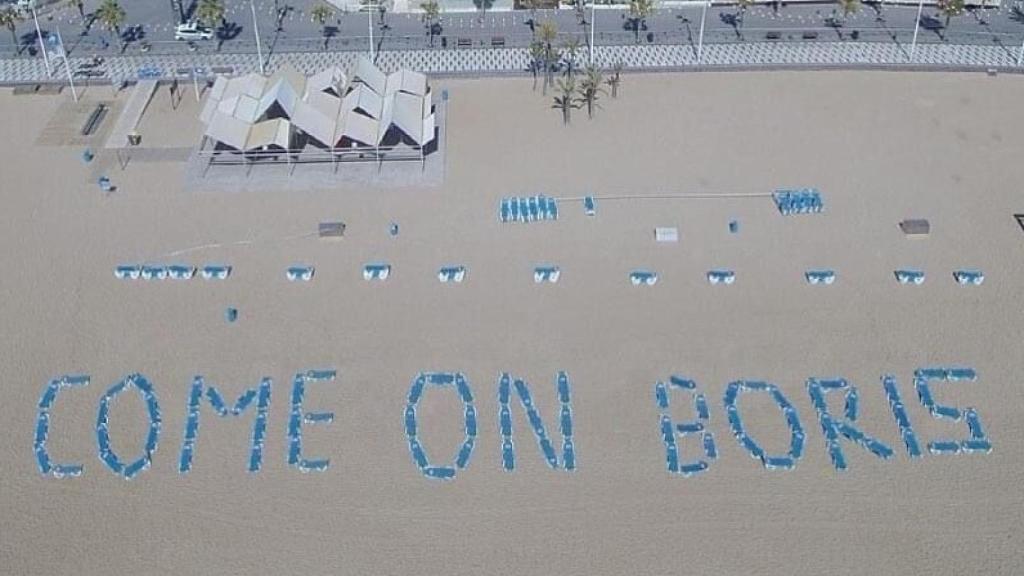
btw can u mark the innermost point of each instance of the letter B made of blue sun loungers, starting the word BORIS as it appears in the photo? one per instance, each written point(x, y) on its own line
point(671, 431)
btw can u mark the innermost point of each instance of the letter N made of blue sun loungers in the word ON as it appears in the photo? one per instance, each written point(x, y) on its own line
point(506, 385)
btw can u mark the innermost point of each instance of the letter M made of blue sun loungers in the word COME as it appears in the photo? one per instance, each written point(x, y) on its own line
point(200, 390)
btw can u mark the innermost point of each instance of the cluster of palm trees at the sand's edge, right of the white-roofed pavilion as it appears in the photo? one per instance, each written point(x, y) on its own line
point(577, 89)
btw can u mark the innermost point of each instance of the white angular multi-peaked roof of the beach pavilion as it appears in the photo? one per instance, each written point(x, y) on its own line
point(254, 112)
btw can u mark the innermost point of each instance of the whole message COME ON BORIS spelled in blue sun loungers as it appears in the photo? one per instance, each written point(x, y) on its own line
point(837, 425)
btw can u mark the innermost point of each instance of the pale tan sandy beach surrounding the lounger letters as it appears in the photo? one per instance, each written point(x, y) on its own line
point(881, 147)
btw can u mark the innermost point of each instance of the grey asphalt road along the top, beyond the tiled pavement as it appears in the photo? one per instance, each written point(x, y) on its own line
point(286, 26)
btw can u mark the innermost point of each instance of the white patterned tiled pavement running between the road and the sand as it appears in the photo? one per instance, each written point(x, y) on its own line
point(516, 61)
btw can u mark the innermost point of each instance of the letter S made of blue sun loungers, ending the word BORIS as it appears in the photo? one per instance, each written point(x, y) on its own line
point(922, 384)
